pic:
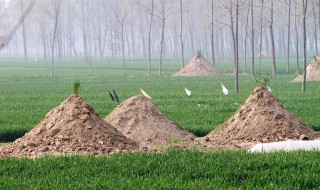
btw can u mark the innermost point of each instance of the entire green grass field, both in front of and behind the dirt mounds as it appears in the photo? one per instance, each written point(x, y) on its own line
point(27, 93)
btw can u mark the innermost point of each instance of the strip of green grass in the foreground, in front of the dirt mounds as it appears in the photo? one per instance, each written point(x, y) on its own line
point(170, 170)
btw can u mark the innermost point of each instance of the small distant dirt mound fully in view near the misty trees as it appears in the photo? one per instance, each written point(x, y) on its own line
point(198, 66)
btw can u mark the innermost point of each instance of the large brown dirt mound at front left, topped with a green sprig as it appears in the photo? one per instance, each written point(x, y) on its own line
point(71, 128)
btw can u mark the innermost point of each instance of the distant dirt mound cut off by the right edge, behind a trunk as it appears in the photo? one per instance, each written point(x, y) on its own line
point(313, 71)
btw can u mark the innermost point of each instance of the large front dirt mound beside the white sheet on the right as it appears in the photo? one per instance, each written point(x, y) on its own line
point(260, 119)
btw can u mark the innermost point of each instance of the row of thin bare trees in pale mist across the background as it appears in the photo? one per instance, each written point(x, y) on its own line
point(158, 29)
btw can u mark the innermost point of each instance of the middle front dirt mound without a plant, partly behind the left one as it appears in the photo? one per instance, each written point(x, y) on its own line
point(139, 119)
